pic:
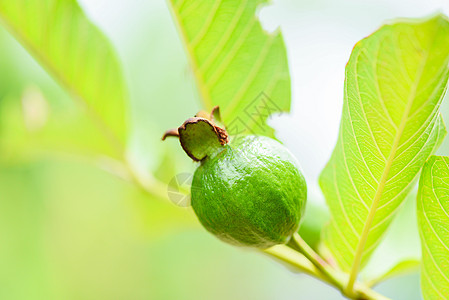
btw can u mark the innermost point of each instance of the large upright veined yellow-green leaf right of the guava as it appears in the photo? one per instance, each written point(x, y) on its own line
point(395, 81)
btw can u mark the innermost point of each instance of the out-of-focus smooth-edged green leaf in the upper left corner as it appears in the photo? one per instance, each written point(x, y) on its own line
point(76, 54)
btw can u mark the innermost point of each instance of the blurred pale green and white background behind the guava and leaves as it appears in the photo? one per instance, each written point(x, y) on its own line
point(69, 229)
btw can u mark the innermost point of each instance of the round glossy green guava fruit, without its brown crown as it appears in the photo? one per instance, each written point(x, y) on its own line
point(250, 193)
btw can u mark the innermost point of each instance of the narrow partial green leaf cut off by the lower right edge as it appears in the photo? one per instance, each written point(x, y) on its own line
point(433, 219)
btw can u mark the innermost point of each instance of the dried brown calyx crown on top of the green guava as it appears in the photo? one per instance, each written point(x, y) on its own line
point(200, 136)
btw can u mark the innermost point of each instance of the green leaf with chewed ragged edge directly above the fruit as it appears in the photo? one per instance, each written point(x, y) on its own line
point(236, 64)
